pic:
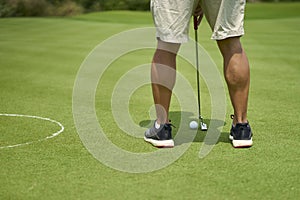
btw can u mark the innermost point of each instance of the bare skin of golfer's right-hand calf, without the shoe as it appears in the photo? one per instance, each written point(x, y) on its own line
point(237, 75)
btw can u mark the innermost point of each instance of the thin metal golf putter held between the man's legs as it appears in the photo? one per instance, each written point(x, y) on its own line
point(203, 126)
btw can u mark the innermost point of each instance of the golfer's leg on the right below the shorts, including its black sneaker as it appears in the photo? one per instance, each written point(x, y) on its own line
point(237, 75)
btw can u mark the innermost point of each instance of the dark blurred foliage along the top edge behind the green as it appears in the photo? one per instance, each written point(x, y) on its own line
point(19, 8)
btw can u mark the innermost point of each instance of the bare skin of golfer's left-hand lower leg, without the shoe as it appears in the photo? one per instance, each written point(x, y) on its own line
point(163, 76)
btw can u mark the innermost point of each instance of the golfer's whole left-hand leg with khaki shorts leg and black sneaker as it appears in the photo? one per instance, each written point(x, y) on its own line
point(171, 19)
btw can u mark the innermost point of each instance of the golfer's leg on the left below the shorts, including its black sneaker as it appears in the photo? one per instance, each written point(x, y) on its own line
point(163, 77)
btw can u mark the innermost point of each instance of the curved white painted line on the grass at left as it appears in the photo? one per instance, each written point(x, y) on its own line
point(35, 117)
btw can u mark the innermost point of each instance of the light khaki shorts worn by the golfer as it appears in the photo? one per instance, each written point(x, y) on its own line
point(172, 18)
